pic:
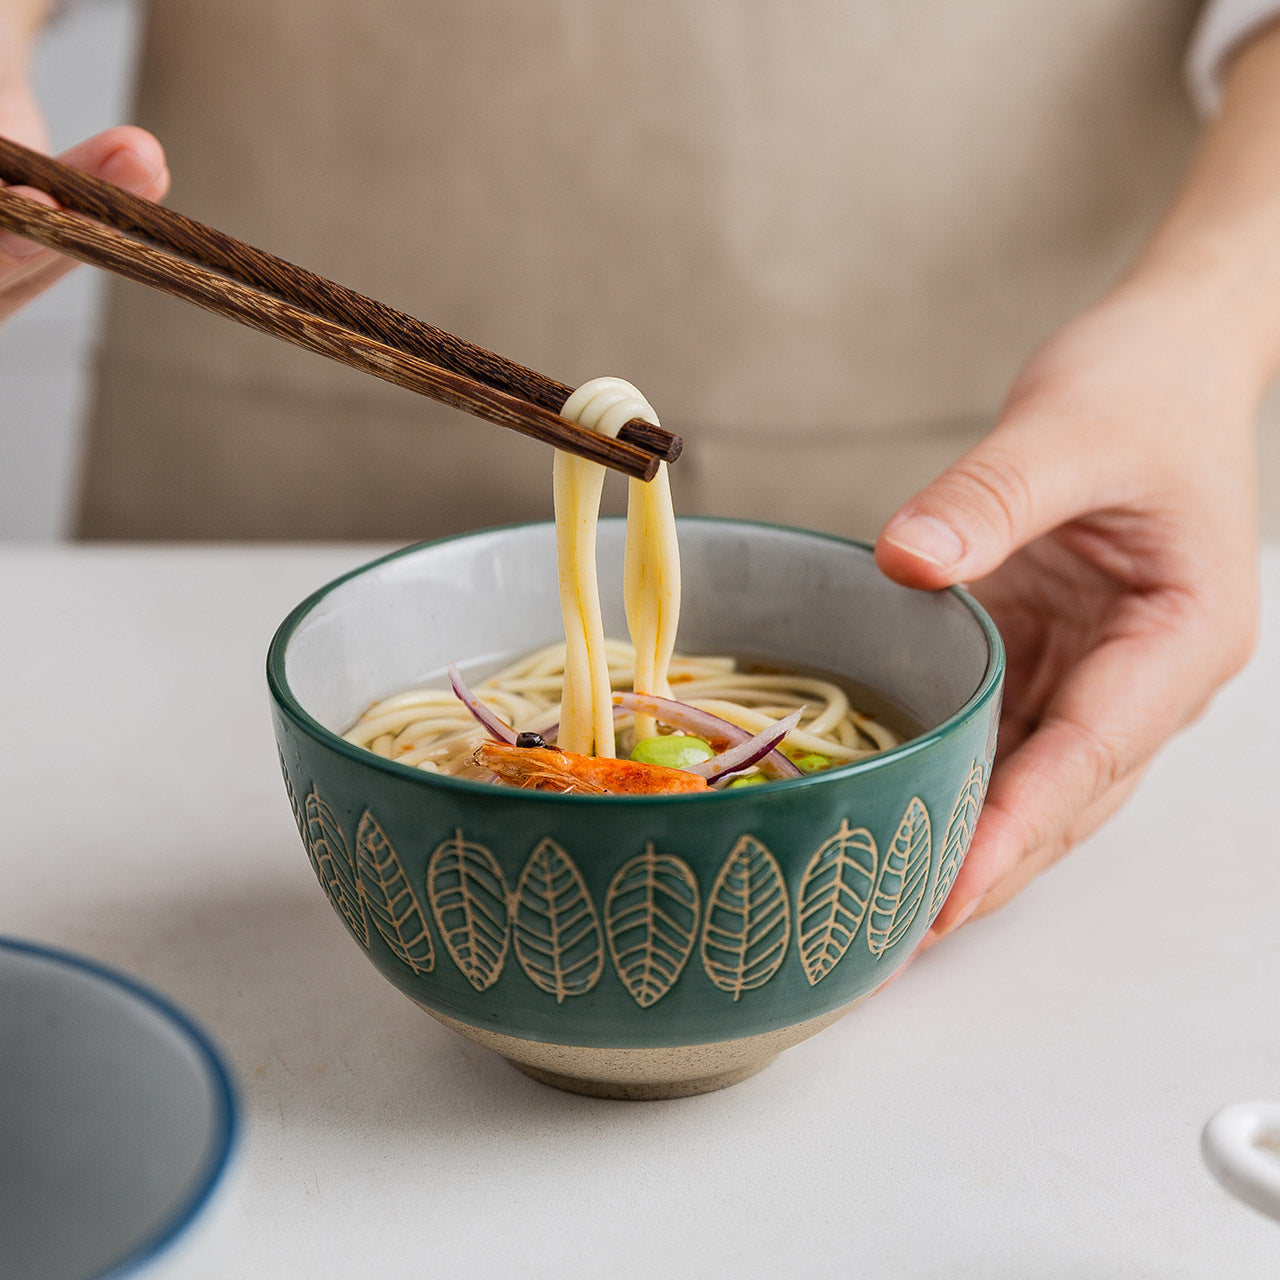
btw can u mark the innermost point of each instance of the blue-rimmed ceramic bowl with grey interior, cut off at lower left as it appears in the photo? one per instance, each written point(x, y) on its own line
point(118, 1128)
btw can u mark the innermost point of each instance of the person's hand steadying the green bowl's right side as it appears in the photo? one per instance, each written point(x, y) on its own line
point(1109, 525)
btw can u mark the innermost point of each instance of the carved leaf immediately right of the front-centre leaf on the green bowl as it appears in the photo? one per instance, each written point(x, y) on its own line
point(748, 924)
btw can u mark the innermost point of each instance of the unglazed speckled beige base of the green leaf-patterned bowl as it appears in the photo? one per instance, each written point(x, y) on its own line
point(644, 1075)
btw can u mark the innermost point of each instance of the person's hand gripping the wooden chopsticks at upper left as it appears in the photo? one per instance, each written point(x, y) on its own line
point(127, 157)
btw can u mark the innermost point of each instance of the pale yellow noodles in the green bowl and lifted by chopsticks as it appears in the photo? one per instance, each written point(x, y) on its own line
point(565, 692)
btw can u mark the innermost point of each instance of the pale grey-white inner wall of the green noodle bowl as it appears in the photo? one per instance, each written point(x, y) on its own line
point(748, 589)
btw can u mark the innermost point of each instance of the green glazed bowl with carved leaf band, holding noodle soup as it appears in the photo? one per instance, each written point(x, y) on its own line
point(638, 947)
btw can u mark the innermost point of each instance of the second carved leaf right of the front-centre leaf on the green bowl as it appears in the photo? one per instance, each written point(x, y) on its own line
point(834, 895)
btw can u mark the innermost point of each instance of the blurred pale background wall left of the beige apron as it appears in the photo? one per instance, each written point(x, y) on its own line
point(84, 74)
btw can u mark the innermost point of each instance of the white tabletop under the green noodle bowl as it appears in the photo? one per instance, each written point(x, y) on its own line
point(1025, 1103)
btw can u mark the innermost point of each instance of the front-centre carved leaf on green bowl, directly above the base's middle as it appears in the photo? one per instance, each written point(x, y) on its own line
point(651, 920)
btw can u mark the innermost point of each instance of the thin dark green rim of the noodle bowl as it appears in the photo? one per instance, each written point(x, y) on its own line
point(294, 710)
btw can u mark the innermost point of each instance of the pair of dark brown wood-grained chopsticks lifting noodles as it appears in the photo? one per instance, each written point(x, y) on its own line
point(152, 245)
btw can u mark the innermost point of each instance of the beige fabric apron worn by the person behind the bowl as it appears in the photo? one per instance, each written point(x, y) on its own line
point(821, 236)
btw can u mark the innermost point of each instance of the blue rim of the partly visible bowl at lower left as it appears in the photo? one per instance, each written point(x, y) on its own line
point(227, 1126)
